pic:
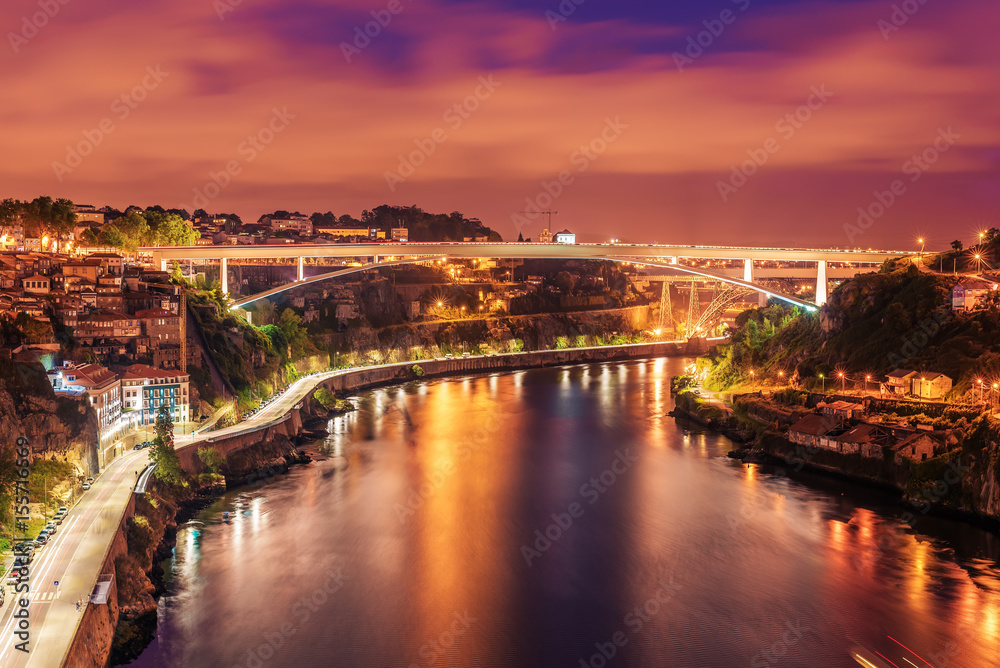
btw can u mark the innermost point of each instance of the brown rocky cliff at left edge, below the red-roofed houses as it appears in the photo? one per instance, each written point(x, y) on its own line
point(57, 427)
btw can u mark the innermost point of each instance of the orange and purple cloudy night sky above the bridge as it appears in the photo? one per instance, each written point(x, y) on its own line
point(862, 123)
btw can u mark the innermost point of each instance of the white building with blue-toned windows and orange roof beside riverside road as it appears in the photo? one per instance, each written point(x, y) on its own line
point(145, 389)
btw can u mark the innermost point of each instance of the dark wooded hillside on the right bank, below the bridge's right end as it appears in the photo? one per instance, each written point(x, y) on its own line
point(872, 324)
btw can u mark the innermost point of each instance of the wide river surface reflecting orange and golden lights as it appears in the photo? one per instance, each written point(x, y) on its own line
point(559, 517)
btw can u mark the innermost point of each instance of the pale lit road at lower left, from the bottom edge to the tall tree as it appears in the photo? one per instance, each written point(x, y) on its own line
point(73, 558)
